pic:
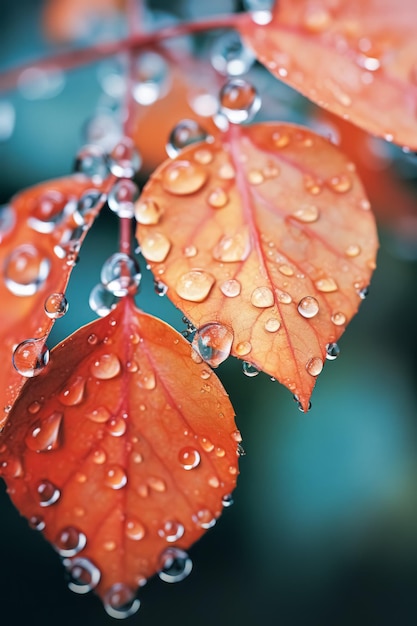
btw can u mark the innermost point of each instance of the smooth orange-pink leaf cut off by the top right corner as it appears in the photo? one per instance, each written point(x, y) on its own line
point(356, 58)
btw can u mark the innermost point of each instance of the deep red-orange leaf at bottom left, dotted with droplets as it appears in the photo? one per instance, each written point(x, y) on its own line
point(125, 448)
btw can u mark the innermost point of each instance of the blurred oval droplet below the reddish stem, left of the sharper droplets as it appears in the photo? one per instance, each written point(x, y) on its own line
point(150, 78)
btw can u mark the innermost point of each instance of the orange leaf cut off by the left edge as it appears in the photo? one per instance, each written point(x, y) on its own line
point(40, 233)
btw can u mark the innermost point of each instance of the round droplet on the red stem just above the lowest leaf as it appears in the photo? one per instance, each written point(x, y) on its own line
point(120, 274)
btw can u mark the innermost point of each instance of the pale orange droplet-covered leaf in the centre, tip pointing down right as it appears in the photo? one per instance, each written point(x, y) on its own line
point(265, 241)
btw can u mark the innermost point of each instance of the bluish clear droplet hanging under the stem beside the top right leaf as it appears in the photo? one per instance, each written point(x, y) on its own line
point(230, 56)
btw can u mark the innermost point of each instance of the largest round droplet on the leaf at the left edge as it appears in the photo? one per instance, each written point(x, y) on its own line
point(25, 270)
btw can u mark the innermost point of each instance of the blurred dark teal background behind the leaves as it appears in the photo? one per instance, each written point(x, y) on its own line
point(323, 531)
